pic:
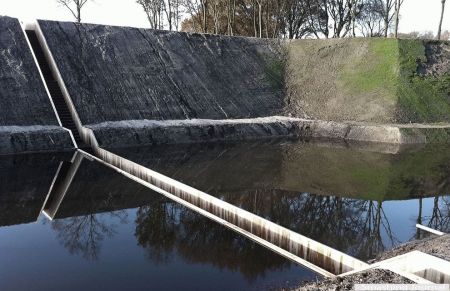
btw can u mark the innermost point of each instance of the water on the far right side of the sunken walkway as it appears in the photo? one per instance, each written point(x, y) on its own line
point(360, 199)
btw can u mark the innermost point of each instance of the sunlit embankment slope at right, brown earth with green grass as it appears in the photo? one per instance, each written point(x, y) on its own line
point(374, 80)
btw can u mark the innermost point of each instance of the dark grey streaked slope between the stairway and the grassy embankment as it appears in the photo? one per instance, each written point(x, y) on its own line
point(122, 73)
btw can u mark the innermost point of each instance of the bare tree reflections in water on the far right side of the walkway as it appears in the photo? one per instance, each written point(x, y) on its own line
point(358, 227)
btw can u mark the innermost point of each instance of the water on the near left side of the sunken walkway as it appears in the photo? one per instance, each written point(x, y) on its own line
point(110, 232)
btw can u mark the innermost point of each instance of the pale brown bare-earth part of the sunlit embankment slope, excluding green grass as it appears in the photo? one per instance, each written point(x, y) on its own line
point(314, 85)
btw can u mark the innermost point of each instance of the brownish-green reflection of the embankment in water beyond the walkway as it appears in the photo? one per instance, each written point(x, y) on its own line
point(226, 169)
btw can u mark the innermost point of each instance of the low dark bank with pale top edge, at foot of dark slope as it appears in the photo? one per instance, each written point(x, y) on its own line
point(146, 132)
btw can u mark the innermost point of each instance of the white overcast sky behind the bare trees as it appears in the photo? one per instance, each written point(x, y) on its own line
point(416, 15)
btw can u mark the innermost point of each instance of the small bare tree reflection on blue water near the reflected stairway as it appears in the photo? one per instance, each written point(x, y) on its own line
point(84, 234)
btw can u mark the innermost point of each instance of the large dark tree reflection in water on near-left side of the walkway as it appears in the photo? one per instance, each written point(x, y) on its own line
point(164, 228)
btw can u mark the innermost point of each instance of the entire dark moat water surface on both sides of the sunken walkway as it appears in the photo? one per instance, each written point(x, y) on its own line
point(110, 232)
